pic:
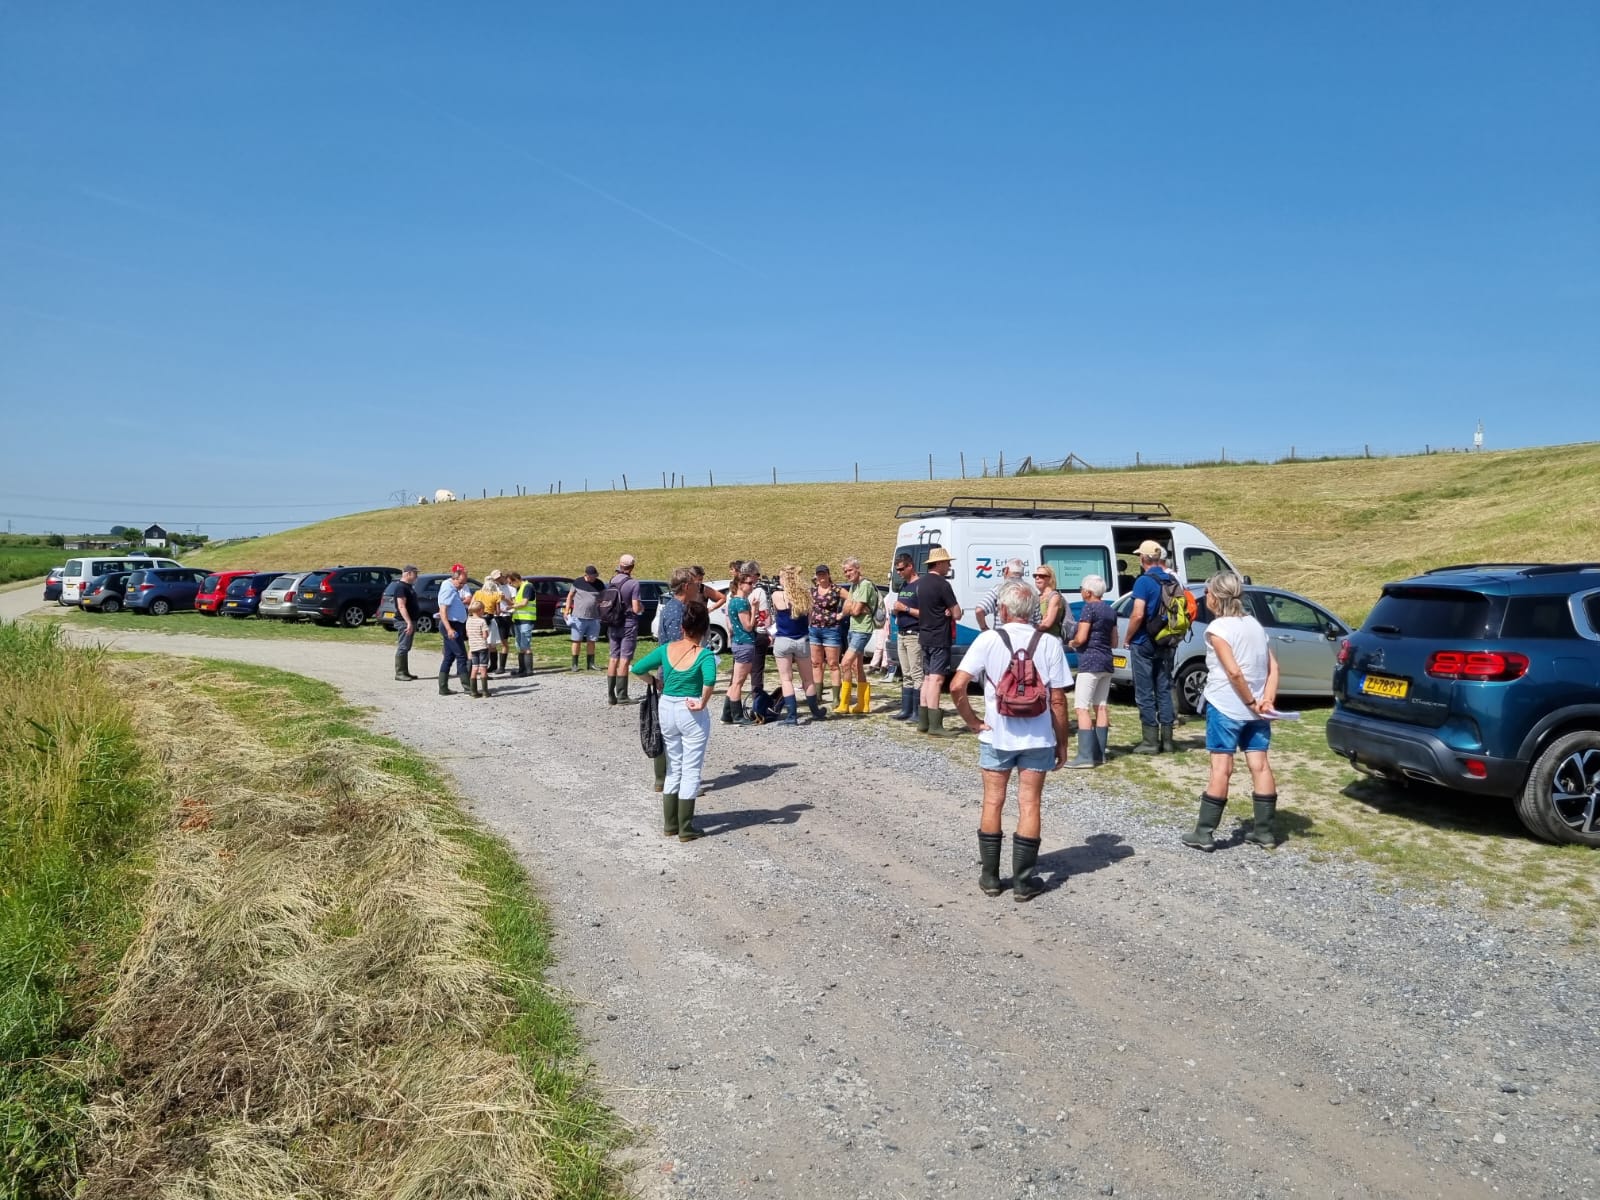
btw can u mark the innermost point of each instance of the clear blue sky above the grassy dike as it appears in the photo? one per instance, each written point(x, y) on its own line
point(266, 263)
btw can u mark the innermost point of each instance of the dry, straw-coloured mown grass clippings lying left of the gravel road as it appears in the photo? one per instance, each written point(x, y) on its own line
point(305, 1009)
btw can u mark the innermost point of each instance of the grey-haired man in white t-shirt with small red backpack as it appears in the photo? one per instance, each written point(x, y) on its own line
point(1026, 745)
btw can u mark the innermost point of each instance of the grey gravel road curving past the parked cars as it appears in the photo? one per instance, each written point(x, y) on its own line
point(815, 1001)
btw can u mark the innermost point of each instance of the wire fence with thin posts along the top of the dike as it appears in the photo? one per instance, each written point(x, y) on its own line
point(948, 466)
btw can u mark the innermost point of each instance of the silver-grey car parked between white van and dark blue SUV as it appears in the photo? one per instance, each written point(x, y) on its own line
point(1303, 634)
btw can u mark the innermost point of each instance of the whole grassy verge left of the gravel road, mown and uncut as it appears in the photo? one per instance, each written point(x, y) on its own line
point(330, 982)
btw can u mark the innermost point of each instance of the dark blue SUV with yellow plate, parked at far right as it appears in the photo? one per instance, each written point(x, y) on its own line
point(1484, 679)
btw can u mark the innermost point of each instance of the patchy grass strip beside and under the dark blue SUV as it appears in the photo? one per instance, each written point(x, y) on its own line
point(1423, 839)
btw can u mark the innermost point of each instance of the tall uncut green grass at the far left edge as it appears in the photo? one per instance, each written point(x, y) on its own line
point(78, 802)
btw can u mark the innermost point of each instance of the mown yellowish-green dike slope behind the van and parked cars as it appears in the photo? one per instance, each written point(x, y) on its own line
point(1332, 530)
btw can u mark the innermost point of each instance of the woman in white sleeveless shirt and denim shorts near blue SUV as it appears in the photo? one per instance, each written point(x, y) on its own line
point(1242, 686)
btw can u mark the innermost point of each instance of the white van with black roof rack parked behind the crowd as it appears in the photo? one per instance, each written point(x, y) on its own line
point(1078, 538)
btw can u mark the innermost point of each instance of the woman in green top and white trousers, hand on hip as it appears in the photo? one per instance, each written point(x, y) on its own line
point(687, 673)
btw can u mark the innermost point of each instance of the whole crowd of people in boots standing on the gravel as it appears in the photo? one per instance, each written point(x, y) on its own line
point(823, 630)
